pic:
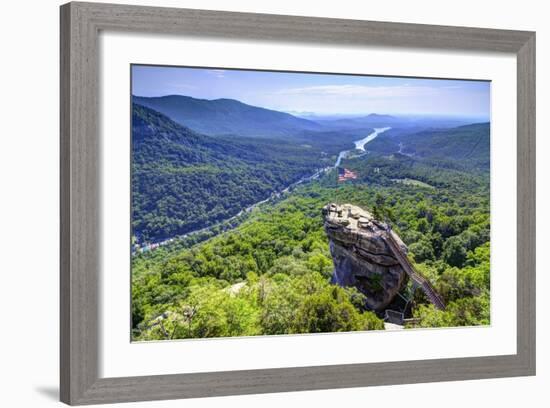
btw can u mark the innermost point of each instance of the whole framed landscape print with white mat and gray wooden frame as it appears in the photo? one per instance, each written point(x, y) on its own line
point(259, 203)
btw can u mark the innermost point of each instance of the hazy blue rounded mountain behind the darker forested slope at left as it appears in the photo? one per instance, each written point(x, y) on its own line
point(227, 116)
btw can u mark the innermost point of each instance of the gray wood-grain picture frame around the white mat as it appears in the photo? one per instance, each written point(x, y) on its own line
point(80, 232)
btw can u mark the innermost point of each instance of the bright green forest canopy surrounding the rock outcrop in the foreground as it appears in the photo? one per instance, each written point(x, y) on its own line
point(280, 263)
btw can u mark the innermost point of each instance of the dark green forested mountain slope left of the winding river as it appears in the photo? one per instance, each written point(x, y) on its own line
point(182, 180)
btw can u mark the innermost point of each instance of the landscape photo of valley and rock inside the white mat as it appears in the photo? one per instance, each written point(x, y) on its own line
point(292, 203)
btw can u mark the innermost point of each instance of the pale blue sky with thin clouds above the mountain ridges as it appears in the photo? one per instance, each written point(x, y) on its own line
point(322, 94)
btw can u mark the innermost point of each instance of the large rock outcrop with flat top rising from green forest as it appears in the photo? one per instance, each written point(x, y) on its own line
point(361, 256)
